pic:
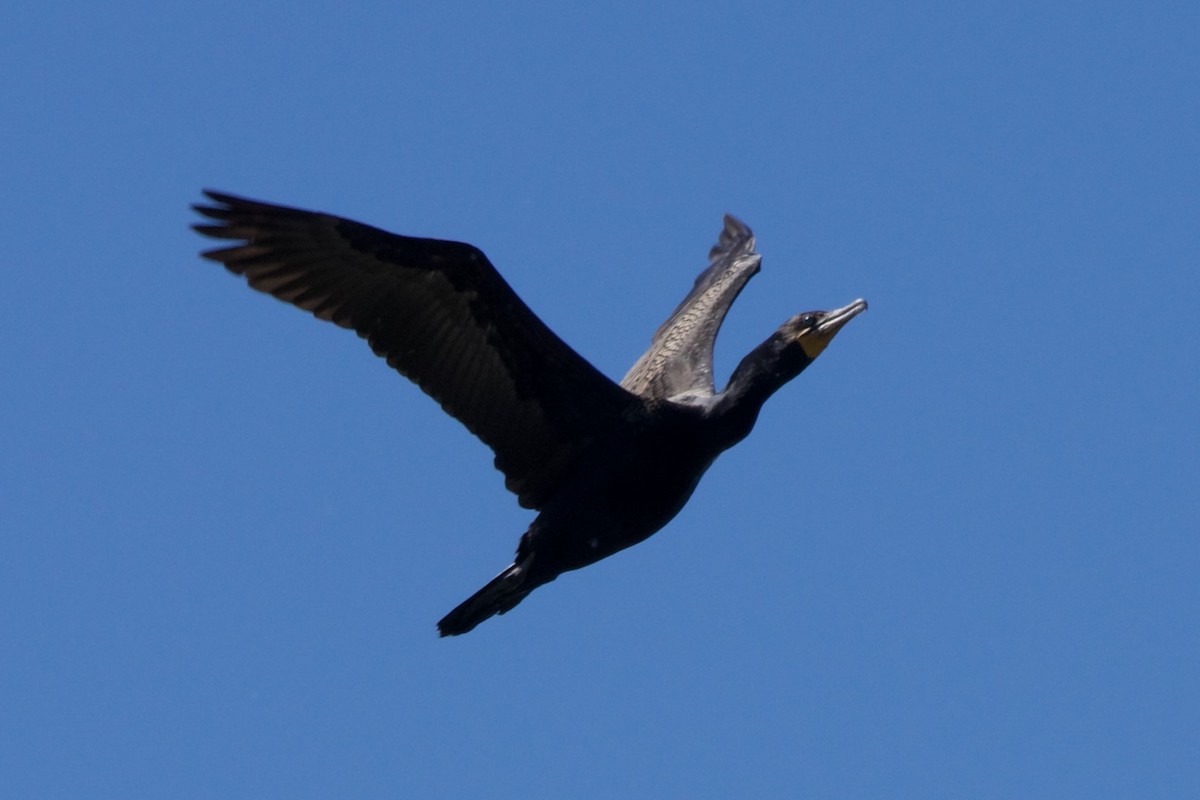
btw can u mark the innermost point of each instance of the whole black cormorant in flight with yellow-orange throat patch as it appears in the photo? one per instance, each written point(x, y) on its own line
point(604, 465)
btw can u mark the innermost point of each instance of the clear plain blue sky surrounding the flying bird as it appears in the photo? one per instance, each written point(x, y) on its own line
point(958, 558)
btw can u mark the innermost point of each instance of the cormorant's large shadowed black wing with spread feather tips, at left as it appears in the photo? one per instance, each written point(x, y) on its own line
point(442, 316)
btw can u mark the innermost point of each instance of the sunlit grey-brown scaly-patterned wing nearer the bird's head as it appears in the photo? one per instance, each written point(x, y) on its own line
point(681, 356)
